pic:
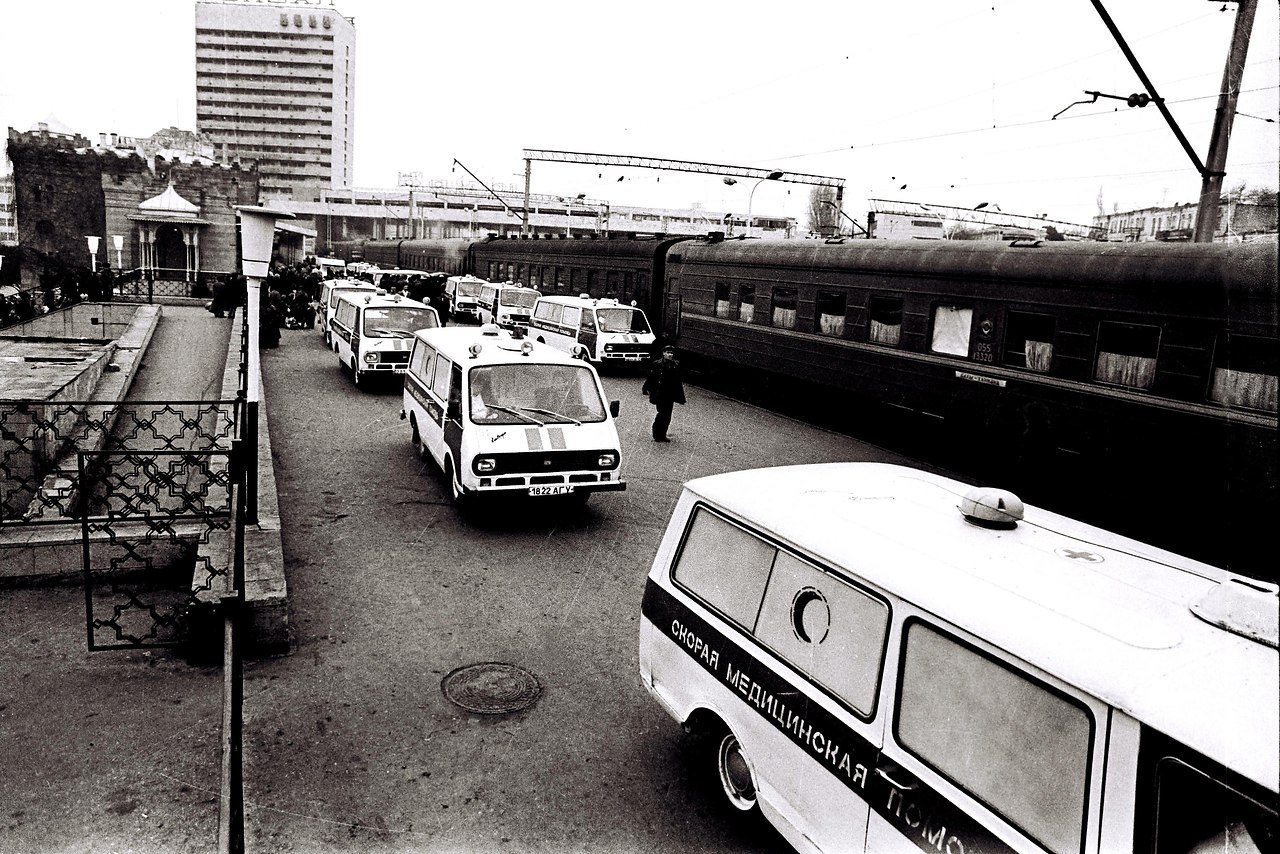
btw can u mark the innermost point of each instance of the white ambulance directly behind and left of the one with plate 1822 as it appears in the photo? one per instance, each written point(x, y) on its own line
point(373, 332)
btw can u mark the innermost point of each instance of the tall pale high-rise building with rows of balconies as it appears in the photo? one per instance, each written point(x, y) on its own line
point(276, 85)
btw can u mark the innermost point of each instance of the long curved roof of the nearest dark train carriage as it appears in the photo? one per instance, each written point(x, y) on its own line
point(1237, 267)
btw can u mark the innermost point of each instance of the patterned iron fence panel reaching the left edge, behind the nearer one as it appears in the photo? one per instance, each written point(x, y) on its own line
point(42, 481)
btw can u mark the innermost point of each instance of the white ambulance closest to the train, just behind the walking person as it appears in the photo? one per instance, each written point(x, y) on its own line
point(602, 331)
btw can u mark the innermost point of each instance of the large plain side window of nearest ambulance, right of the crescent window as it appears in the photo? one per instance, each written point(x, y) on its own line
point(1026, 748)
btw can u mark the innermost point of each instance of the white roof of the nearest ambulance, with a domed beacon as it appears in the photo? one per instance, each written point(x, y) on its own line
point(1127, 623)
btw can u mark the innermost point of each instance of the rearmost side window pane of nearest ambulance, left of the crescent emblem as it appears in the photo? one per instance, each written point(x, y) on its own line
point(725, 567)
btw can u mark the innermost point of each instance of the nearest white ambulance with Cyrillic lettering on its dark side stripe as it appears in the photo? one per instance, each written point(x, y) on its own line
point(884, 660)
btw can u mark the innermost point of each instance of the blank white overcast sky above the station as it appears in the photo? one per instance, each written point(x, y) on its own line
point(943, 102)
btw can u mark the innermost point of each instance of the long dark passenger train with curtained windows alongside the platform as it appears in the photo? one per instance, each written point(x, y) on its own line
point(1135, 380)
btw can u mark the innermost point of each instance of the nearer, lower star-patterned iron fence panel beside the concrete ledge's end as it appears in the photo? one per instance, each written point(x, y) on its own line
point(159, 540)
